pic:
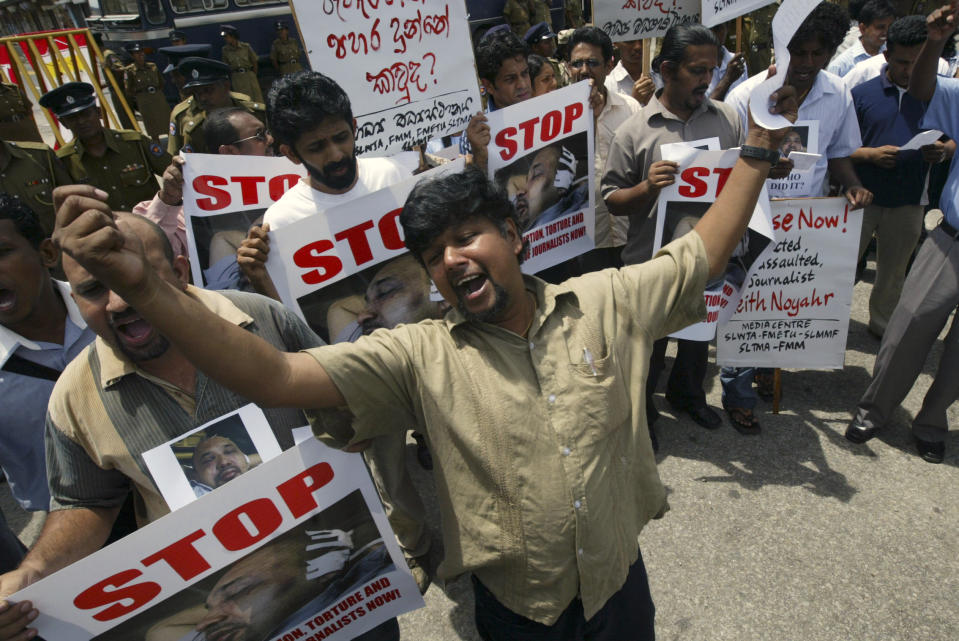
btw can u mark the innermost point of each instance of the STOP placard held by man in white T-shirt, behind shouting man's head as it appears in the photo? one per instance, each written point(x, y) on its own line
point(331, 267)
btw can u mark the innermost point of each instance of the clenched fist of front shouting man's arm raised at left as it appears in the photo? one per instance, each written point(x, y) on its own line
point(88, 232)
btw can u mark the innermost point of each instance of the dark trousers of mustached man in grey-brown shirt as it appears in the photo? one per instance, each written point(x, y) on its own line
point(685, 385)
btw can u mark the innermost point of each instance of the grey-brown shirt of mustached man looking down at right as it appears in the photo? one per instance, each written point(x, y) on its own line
point(636, 147)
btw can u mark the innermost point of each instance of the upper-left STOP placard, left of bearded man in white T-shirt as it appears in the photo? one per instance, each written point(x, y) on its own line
point(223, 196)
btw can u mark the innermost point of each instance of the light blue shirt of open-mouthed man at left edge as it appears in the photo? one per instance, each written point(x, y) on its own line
point(24, 401)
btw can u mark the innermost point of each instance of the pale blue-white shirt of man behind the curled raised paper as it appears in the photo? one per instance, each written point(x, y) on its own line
point(828, 102)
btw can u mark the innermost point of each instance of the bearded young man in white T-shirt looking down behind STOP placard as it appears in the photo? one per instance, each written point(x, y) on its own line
point(312, 121)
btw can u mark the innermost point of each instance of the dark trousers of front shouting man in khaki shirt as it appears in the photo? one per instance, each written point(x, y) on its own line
point(627, 616)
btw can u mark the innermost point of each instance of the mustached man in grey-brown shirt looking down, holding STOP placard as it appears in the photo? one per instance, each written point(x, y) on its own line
point(681, 111)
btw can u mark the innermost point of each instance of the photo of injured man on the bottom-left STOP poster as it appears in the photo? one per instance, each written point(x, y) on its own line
point(314, 569)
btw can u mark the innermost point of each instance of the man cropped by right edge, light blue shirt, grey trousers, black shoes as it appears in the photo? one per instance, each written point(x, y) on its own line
point(931, 291)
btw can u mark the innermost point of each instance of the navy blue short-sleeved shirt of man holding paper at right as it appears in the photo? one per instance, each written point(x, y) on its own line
point(888, 115)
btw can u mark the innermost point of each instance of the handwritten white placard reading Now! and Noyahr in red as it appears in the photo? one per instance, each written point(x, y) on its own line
point(793, 310)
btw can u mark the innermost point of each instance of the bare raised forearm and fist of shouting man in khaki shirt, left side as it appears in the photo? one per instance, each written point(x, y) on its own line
point(89, 232)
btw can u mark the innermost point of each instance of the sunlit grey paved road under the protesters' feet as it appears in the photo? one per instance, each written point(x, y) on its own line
point(792, 534)
